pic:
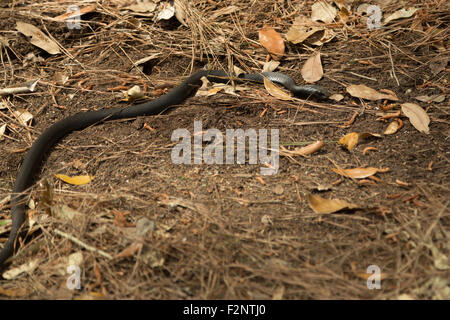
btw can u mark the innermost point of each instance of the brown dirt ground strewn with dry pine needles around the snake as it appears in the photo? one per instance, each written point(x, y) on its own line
point(224, 231)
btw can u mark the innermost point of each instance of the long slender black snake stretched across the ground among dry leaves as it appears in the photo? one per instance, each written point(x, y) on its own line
point(79, 121)
